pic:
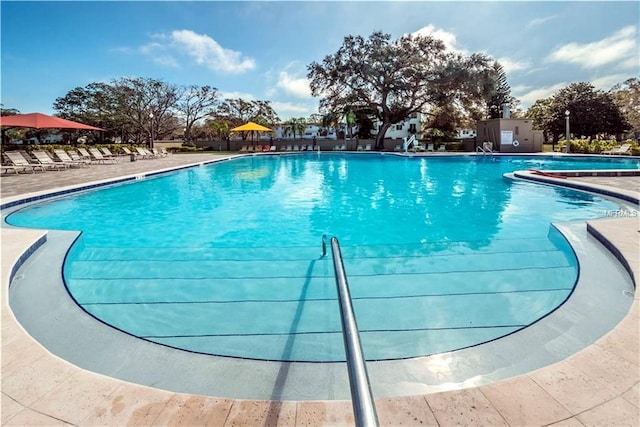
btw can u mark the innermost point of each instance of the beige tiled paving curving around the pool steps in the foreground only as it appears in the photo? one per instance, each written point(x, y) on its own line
point(608, 370)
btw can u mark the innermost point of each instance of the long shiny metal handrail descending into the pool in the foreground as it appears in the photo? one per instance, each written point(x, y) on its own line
point(364, 410)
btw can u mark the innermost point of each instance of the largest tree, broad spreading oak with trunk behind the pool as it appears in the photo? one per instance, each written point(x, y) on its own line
point(395, 79)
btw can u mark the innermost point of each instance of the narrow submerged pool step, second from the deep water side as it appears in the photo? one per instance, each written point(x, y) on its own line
point(172, 268)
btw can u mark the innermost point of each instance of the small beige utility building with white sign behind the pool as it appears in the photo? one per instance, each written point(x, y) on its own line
point(509, 135)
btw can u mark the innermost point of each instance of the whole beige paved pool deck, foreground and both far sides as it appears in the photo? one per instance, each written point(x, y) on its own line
point(597, 386)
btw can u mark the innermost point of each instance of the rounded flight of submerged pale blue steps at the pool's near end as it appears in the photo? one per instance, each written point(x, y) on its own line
point(283, 300)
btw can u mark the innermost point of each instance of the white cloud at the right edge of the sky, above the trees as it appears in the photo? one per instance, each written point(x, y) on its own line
point(621, 48)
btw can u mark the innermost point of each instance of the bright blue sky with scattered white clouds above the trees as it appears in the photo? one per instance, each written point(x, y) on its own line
point(261, 50)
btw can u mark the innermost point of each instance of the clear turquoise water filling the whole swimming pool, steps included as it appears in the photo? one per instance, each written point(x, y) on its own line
point(441, 253)
